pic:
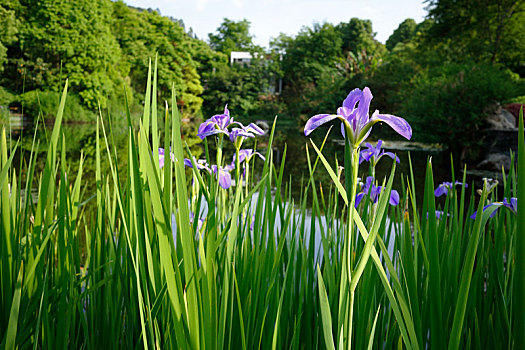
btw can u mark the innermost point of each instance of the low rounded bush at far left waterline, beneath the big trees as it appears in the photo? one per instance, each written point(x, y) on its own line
point(46, 102)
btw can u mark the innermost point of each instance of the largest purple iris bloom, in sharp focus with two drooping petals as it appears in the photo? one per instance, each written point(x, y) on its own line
point(356, 119)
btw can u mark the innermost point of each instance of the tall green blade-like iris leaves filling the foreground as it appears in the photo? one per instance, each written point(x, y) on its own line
point(260, 270)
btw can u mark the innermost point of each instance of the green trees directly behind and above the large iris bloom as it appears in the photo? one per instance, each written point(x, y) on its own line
point(324, 62)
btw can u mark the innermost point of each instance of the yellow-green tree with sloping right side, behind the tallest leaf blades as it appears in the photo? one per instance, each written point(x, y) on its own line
point(139, 33)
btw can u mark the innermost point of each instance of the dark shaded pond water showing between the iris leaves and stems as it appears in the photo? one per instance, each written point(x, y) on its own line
point(81, 138)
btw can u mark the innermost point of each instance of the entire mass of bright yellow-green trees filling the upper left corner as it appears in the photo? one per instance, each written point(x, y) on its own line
point(102, 47)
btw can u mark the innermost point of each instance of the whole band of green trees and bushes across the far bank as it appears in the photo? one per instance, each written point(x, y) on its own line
point(469, 56)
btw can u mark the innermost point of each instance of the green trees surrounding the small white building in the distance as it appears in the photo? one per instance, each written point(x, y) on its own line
point(247, 88)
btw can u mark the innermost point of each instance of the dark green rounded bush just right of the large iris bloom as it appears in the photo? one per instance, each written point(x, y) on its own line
point(448, 104)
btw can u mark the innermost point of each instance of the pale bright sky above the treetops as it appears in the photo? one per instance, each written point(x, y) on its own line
point(268, 18)
